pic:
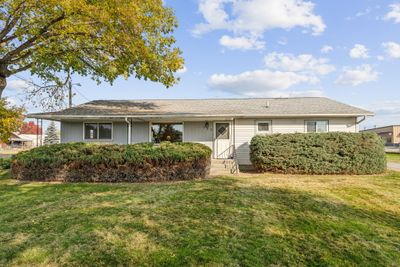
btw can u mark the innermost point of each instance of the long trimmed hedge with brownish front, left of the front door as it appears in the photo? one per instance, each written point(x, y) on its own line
point(82, 162)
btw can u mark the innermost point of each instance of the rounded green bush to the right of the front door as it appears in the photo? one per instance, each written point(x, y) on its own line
point(319, 153)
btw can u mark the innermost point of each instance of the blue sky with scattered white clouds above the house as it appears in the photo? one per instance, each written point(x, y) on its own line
point(346, 50)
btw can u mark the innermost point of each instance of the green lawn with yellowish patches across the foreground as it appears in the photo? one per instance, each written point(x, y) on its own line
point(243, 221)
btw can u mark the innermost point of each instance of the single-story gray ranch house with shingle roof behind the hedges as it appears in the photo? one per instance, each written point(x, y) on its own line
point(225, 125)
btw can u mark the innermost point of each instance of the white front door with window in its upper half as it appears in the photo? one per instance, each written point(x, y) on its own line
point(222, 140)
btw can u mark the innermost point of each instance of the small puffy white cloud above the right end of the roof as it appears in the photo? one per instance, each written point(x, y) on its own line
point(358, 75)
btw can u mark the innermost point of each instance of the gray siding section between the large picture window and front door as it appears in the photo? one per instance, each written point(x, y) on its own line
point(198, 133)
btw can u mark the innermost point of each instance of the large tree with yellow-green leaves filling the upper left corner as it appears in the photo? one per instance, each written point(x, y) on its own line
point(102, 39)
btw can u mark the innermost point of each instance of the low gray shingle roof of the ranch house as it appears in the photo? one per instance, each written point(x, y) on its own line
point(249, 107)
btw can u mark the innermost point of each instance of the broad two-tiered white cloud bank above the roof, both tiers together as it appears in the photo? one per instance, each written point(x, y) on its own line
point(282, 71)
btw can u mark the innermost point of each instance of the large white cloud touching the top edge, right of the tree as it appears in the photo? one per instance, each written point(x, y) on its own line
point(251, 18)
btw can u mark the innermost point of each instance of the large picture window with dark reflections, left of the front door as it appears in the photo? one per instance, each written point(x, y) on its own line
point(171, 132)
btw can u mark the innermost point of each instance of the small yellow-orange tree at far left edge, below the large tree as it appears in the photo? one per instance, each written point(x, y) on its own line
point(11, 119)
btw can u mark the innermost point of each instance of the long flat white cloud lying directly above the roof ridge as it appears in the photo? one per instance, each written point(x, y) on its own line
point(258, 82)
